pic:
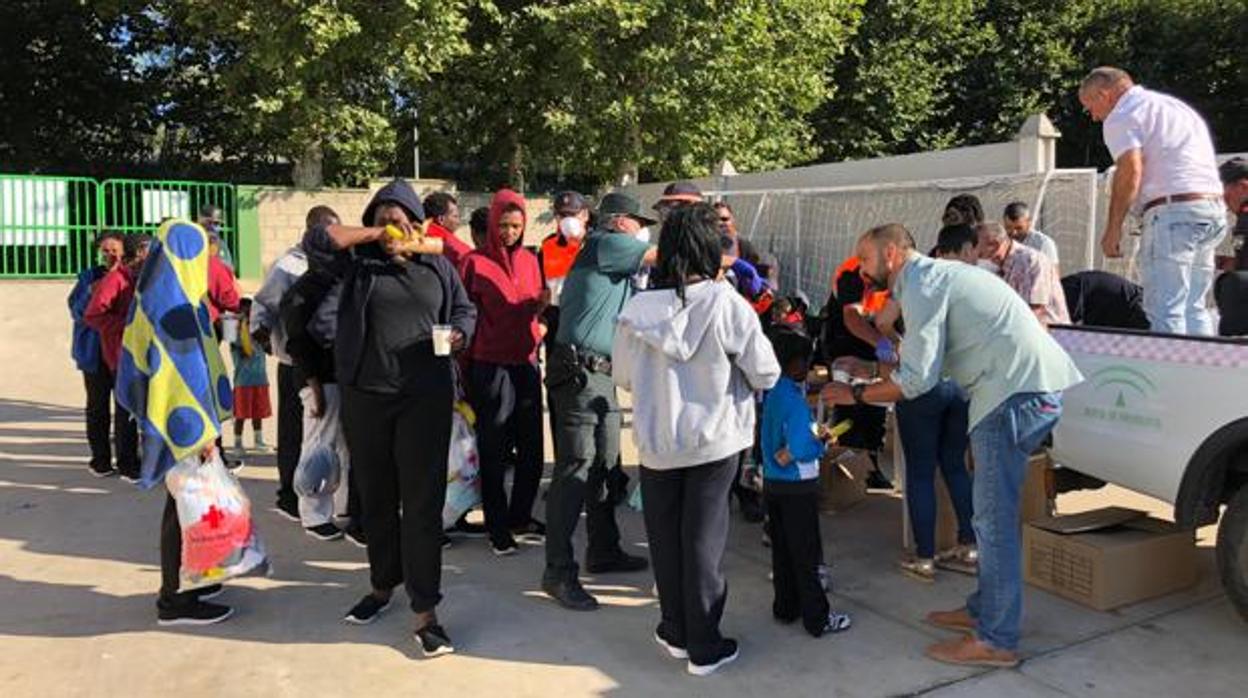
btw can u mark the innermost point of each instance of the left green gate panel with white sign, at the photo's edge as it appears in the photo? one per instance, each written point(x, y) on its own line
point(47, 225)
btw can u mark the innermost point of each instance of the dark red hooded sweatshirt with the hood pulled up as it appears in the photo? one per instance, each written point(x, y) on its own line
point(506, 285)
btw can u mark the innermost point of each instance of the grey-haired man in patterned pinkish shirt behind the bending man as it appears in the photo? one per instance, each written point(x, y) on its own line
point(1029, 273)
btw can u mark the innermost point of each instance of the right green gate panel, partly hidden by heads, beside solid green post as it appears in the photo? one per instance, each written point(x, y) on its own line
point(140, 205)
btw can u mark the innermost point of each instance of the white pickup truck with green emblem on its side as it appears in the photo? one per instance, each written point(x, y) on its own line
point(1168, 416)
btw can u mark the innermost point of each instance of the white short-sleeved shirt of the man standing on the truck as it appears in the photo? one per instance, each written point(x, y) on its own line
point(1172, 138)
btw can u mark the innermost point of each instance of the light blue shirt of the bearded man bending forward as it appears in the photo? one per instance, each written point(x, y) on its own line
point(968, 324)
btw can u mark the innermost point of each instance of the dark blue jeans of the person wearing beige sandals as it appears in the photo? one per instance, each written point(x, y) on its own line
point(934, 435)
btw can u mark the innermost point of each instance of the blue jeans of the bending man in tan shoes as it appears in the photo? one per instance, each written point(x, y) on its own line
point(1002, 444)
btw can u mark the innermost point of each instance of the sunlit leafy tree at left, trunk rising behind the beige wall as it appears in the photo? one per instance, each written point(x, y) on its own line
point(318, 82)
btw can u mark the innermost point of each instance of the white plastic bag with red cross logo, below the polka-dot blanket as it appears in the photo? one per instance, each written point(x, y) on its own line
point(219, 535)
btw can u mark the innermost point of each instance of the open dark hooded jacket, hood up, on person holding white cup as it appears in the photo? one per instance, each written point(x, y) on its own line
point(358, 269)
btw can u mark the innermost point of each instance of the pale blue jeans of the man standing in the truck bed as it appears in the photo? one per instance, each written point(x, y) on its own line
point(1176, 265)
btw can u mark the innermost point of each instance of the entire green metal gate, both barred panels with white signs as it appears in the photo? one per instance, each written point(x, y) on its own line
point(48, 224)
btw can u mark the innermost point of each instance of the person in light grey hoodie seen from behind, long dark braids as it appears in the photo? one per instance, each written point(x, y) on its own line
point(693, 354)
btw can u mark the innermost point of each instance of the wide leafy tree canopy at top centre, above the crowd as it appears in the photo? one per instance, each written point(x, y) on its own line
point(611, 89)
